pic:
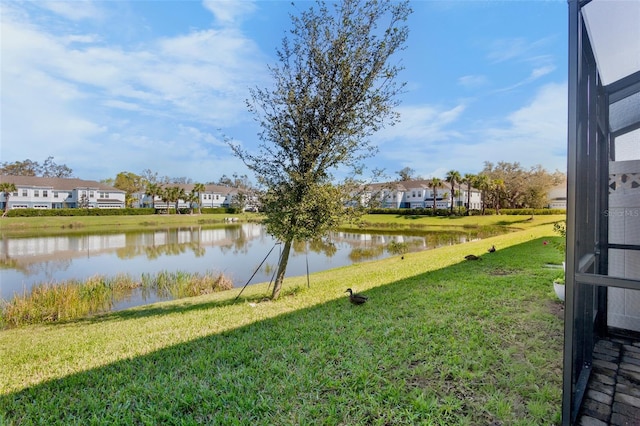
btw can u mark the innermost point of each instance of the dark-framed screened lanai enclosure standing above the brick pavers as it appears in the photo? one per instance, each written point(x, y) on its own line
point(603, 187)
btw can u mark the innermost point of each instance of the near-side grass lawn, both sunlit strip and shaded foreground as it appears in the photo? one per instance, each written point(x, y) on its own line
point(441, 341)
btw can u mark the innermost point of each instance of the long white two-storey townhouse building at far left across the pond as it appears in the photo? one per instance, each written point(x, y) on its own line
point(56, 193)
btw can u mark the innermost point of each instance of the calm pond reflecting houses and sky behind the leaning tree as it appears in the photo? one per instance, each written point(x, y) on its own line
point(237, 251)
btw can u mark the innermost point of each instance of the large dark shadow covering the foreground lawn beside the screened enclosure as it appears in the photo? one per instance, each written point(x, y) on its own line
point(459, 345)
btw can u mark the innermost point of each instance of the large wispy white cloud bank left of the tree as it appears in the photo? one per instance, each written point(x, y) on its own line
point(67, 95)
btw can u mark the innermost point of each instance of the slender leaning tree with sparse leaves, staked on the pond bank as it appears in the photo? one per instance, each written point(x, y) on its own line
point(333, 88)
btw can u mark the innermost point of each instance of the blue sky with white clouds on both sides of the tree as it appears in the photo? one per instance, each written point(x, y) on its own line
point(111, 86)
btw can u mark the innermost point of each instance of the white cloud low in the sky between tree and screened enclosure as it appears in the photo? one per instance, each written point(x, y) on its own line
point(434, 140)
